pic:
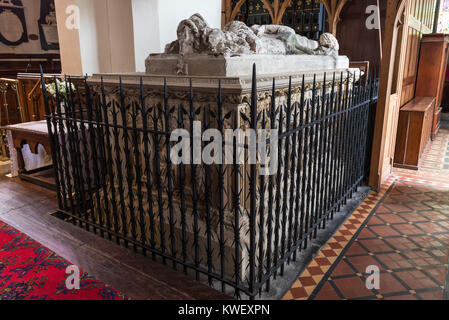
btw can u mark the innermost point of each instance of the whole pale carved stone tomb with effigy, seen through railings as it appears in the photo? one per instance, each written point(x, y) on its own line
point(204, 57)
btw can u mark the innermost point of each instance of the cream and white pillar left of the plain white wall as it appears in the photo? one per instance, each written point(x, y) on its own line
point(103, 43)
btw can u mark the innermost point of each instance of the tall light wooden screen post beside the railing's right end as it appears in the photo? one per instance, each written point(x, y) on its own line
point(395, 37)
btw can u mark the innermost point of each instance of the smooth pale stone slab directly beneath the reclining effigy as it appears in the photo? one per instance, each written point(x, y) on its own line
point(241, 65)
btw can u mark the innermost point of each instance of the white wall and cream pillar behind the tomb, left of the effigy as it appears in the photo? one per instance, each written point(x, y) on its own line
point(118, 35)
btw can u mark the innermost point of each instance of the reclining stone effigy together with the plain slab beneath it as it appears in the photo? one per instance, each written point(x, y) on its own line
point(203, 51)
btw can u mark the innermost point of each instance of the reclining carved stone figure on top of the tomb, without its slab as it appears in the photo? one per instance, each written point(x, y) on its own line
point(196, 37)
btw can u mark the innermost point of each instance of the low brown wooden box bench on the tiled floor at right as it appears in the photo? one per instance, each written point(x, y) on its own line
point(414, 132)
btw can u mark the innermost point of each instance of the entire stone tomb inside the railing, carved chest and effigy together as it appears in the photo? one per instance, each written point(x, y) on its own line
point(203, 56)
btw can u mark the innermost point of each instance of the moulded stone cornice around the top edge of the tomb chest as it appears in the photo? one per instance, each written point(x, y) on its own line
point(235, 90)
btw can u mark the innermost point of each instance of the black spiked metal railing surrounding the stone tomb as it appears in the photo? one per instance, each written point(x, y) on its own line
point(224, 223)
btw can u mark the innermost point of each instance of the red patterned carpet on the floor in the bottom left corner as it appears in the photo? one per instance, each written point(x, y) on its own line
point(29, 271)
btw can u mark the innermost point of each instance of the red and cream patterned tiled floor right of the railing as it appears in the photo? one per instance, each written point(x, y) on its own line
point(403, 231)
